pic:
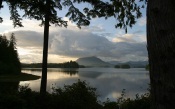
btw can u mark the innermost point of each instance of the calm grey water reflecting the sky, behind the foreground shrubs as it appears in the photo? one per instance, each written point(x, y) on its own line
point(109, 81)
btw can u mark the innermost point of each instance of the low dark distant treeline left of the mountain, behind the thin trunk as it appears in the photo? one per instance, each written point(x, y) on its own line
point(71, 64)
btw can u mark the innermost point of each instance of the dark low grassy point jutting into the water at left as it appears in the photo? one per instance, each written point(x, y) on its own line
point(18, 77)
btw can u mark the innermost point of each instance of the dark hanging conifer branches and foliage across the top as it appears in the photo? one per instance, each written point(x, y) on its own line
point(124, 11)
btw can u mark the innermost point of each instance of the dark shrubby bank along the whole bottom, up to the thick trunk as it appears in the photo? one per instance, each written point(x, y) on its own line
point(79, 95)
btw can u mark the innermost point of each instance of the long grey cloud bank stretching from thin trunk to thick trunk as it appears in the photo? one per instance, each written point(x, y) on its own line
point(83, 43)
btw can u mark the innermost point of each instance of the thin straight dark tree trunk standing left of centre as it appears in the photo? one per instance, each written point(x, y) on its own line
point(45, 50)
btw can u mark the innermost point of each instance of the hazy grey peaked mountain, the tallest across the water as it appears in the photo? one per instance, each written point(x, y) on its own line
point(92, 62)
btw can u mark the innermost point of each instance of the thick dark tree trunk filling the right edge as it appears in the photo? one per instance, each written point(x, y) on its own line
point(161, 52)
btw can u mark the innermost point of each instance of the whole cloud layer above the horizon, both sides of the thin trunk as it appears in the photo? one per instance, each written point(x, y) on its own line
point(74, 43)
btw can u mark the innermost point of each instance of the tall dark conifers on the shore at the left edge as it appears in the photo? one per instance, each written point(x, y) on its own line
point(9, 60)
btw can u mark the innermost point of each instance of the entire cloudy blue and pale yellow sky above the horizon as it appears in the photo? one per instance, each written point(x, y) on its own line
point(100, 39)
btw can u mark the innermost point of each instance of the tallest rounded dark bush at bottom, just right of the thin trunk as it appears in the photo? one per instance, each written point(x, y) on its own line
point(77, 96)
